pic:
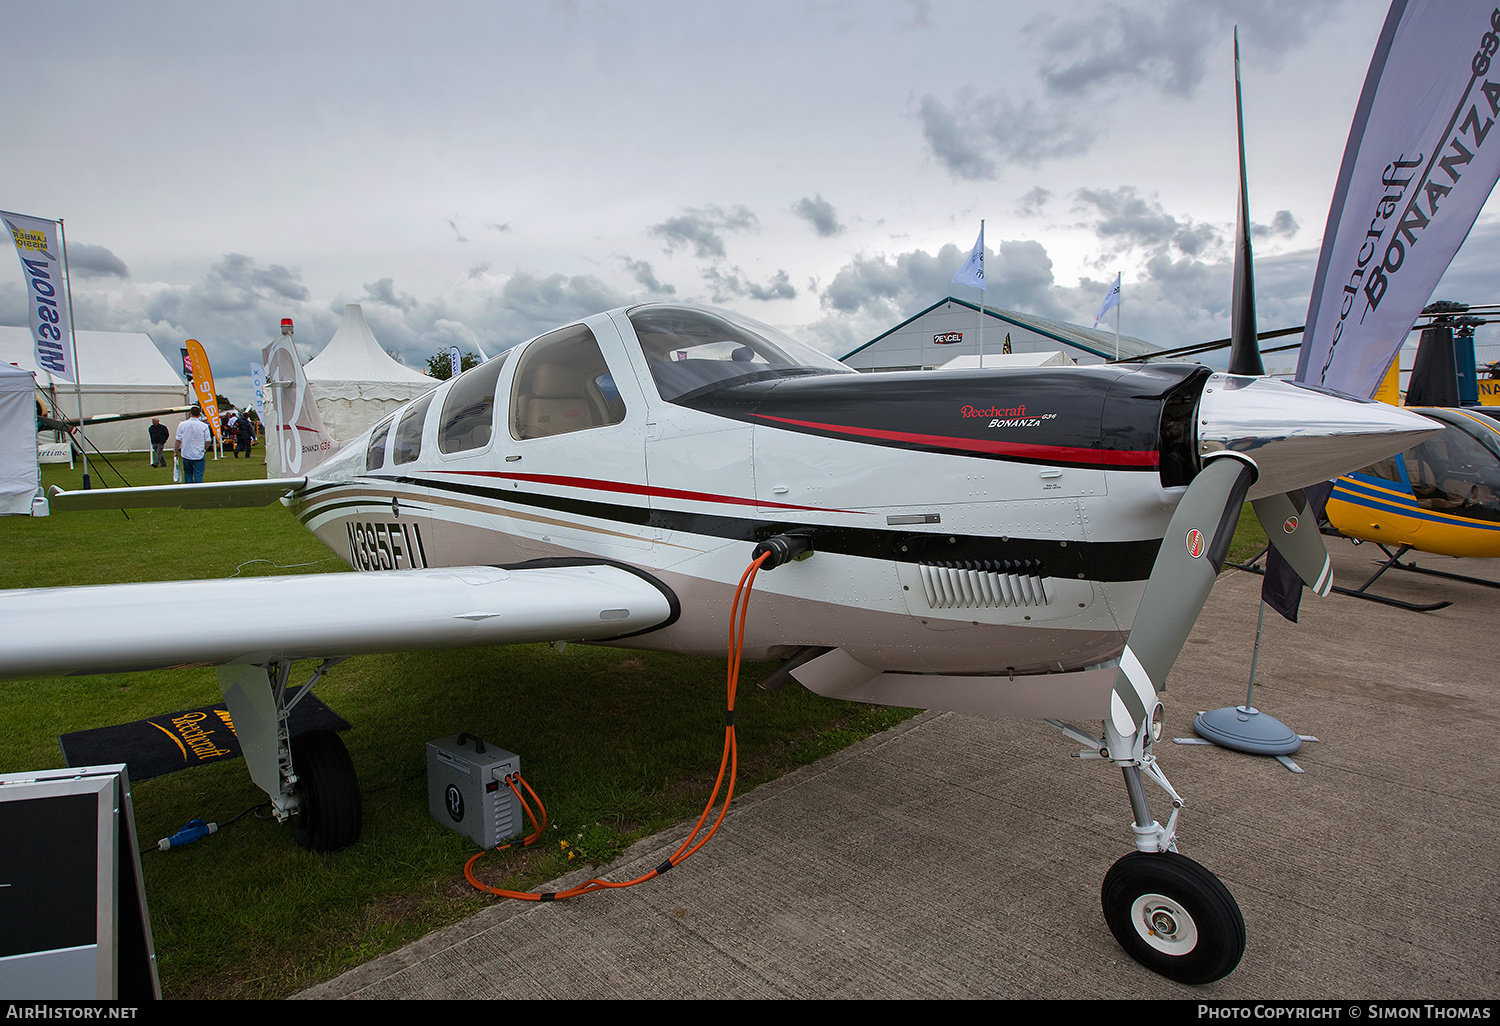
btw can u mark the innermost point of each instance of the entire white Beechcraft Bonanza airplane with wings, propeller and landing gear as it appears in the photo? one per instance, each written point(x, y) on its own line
point(1033, 542)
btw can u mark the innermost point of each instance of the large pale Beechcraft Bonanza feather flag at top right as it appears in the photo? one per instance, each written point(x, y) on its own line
point(1418, 167)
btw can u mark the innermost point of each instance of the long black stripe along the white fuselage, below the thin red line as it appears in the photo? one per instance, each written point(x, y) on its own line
point(1049, 559)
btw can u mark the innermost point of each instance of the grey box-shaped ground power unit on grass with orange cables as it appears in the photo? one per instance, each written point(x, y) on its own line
point(467, 790)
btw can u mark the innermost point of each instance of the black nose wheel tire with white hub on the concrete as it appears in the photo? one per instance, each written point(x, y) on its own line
point(1174, 917)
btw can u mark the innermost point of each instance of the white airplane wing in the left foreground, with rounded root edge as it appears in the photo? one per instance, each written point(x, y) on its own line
point(104, 629)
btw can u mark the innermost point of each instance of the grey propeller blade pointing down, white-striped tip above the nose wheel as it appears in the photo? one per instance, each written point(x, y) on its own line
point(1190, 557)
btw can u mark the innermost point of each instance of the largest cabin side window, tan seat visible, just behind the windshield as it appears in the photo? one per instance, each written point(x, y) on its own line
point(563, 385)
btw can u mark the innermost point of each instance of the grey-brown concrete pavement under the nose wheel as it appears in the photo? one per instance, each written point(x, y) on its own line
point(958, 857)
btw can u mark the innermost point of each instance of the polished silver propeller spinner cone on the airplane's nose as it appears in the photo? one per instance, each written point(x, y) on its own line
point(1301, 436)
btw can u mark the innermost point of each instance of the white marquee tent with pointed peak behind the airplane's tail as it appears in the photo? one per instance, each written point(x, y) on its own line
point(356, 383)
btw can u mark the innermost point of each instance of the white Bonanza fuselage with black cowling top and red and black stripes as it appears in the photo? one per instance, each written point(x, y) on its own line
point(988, 523)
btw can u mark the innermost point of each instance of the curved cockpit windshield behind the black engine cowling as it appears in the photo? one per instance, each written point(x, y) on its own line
point(694, 350)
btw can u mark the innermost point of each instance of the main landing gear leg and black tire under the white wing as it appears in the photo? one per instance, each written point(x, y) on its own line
point(311, 778)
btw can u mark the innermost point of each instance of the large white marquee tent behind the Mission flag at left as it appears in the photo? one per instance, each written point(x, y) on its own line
point(122, 373)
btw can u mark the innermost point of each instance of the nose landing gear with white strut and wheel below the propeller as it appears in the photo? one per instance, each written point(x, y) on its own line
point(1169, 914)
